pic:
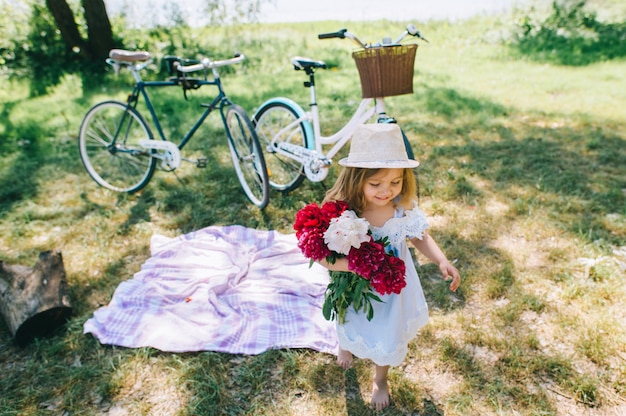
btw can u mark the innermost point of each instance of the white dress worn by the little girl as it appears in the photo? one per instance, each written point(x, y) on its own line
point(397, 319)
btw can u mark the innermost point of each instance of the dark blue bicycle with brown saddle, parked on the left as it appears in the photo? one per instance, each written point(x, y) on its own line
point(120, 152)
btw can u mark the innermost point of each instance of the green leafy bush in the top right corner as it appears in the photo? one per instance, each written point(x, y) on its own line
point(570, 35)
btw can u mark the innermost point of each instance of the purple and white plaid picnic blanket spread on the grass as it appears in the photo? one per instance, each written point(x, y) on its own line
point(228, 289)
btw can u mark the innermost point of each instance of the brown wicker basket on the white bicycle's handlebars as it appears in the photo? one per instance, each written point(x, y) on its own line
point(386, 71)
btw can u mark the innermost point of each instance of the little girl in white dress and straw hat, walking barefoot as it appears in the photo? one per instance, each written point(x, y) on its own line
point(379, 185)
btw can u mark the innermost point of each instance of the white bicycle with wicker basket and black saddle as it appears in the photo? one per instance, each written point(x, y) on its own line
point(291, 137)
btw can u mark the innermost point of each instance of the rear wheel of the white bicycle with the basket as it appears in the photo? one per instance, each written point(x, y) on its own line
point(285, 173)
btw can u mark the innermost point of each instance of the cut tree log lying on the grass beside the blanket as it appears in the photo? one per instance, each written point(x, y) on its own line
point(34, 302)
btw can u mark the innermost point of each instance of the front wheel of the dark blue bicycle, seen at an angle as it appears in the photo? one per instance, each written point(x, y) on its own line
point(247, 156)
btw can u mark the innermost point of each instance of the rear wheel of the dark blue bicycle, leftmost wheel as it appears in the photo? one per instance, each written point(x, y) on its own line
point(108, 143)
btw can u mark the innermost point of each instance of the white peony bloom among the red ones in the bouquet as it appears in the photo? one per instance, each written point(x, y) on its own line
point(345, 232)
